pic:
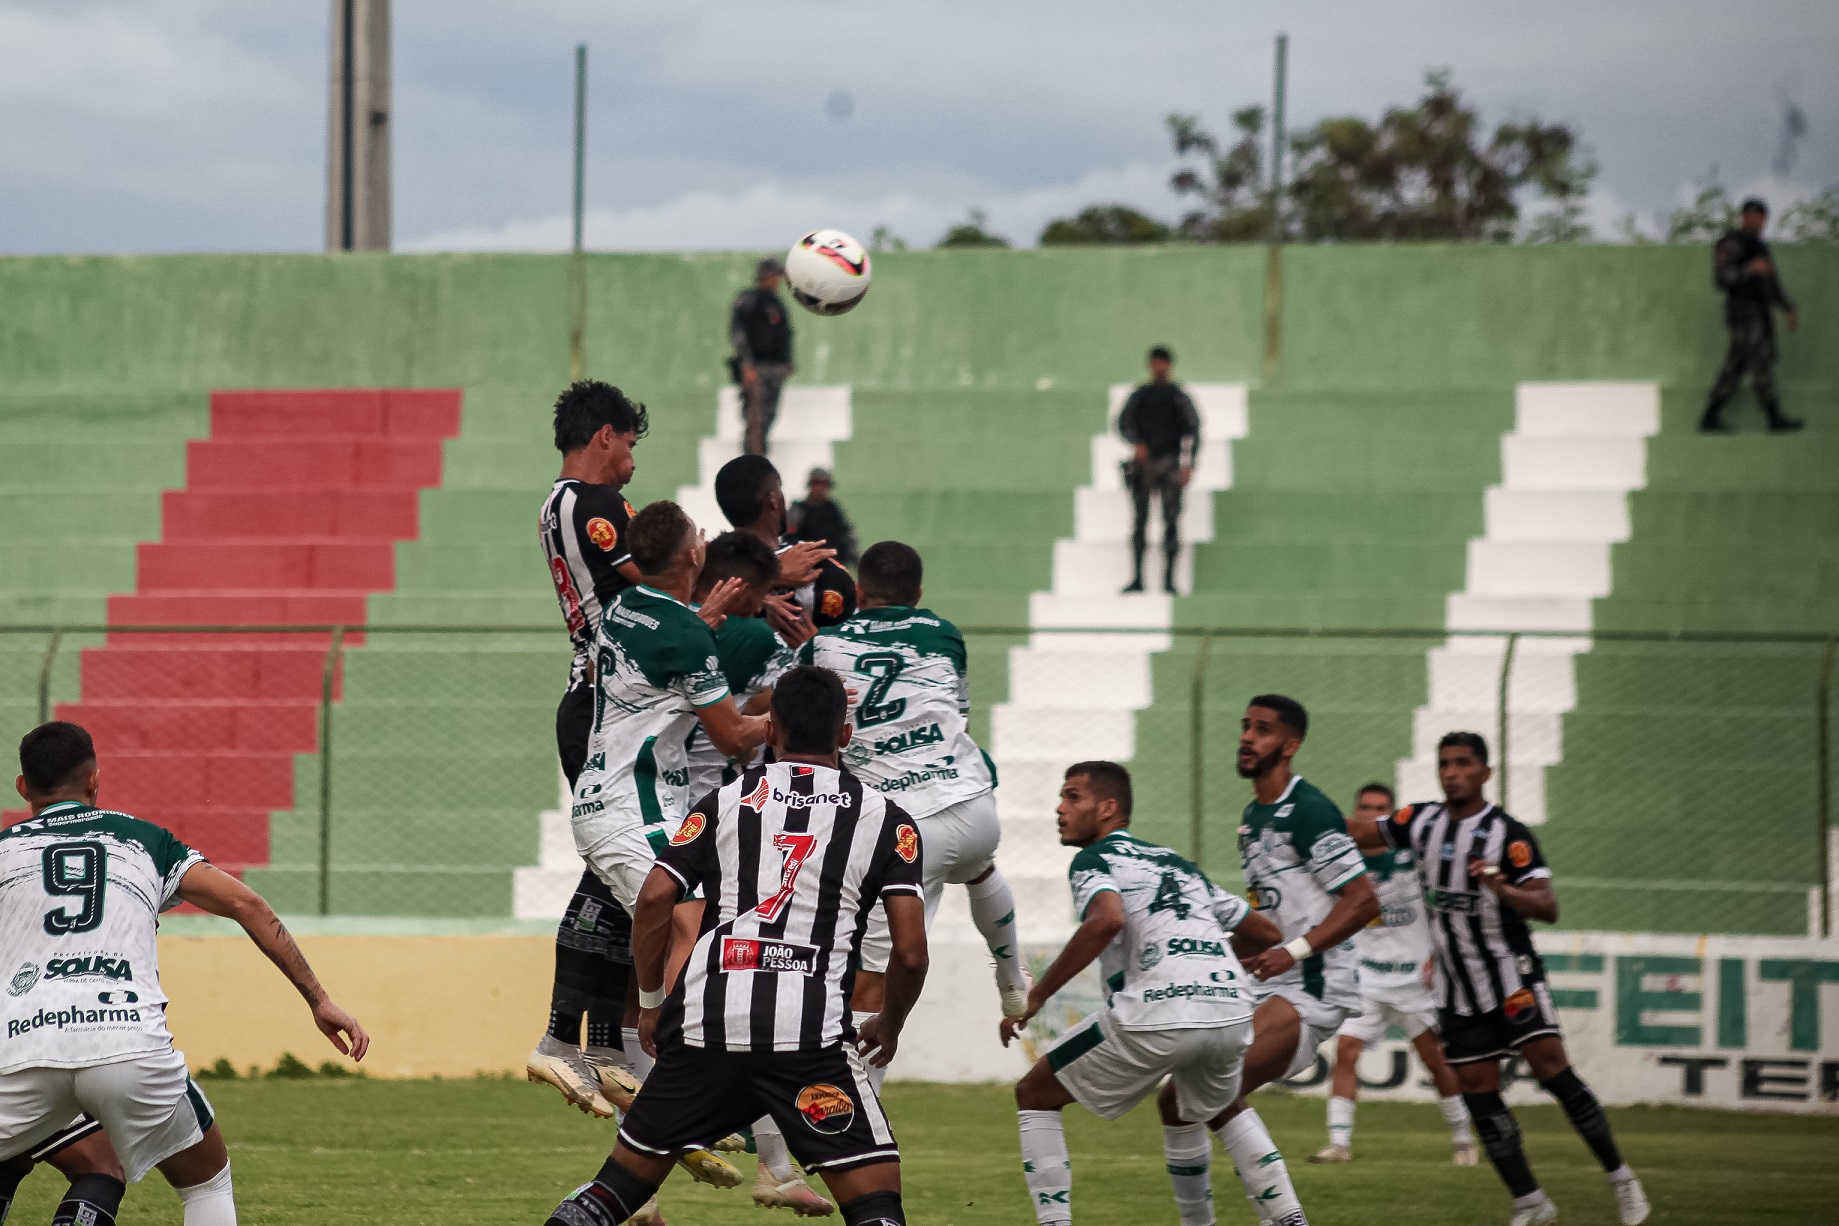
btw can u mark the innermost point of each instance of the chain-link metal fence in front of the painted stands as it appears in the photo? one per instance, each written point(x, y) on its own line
point(1678, 784)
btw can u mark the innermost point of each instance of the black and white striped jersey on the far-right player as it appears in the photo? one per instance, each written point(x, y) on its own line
point(1483, 946)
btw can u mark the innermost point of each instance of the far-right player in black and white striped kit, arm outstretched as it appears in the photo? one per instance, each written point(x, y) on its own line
point(1483, 878)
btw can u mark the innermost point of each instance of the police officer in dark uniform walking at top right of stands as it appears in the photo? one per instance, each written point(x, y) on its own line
point(1744, 271)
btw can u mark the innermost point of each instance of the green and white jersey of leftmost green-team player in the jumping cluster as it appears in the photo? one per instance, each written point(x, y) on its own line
point(656, 668)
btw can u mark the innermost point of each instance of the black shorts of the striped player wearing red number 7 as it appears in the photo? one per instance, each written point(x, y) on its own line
point(821, 1100)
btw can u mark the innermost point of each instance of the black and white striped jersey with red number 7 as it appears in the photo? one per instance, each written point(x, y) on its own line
point(792, 863)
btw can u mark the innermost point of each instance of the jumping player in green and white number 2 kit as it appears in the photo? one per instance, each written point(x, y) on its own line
point(909, 683)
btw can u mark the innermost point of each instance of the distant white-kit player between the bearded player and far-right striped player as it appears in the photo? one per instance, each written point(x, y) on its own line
point(1397, 979)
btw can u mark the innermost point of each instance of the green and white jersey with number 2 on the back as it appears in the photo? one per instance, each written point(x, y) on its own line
point(908, 668)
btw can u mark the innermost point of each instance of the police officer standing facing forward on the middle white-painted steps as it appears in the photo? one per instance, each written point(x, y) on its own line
point(1165, 429)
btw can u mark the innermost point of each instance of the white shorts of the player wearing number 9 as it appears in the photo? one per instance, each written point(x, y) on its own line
point(148, 1102)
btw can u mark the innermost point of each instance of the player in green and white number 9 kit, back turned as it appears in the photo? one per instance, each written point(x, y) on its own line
point(82, 891)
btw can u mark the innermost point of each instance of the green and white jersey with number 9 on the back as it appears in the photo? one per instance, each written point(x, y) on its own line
point(82, 894)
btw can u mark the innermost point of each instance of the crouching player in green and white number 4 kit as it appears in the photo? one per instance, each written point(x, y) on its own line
point(1178, 1006)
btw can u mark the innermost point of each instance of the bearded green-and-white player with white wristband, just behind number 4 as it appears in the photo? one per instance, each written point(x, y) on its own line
point(1303, 872)
